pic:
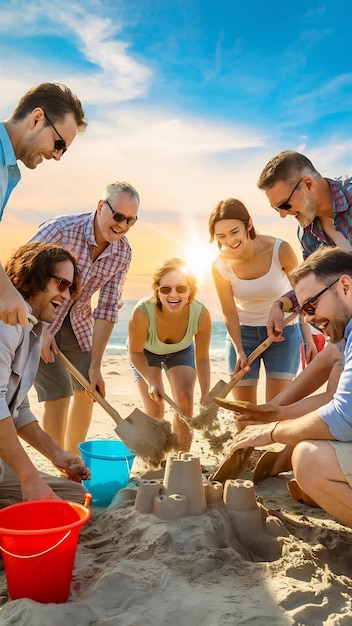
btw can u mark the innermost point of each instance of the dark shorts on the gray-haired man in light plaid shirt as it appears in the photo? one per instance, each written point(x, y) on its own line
point(52, 380)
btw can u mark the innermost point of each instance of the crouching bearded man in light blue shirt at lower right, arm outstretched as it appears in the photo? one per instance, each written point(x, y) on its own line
point(322, 456)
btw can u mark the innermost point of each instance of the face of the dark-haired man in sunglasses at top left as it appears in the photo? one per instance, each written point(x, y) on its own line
point(38, 142)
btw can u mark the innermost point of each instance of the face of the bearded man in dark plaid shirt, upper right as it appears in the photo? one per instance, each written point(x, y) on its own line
point(303, 205)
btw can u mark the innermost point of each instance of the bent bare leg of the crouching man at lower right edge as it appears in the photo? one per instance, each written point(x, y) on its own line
point(318, 473)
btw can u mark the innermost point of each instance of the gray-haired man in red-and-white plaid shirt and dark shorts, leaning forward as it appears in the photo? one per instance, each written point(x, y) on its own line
point(98, 240)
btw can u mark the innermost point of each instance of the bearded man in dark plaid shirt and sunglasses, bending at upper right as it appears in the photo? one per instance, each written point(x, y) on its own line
point(321, 206)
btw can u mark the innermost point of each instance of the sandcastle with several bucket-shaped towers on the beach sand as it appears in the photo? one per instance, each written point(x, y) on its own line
point(184, 490)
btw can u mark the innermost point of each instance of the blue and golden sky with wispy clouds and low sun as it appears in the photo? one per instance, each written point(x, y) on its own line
point(186, 100)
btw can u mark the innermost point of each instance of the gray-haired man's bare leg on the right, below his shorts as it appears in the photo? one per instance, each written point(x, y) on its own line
point(78, 421)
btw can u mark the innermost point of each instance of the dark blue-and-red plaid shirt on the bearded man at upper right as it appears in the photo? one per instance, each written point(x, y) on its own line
point(313, 236)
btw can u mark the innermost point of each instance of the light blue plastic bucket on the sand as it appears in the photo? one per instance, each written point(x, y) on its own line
point(110, 462)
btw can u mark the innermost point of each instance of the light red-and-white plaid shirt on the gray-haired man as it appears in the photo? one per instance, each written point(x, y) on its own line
point(107, 273)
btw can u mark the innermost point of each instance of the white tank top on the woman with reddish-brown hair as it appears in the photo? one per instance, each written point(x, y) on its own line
point(254, 297)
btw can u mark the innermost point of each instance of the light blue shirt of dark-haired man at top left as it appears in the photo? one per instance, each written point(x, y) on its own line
point(10, 173)
